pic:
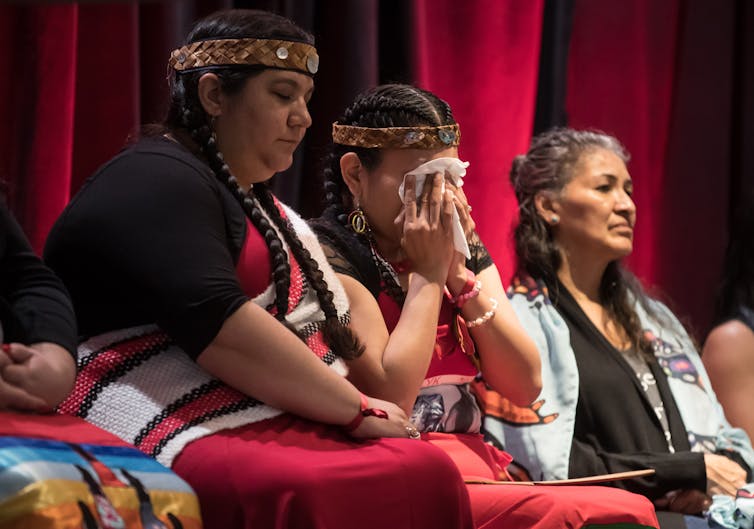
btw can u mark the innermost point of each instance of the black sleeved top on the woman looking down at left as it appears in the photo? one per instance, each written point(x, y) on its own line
point(151, 238)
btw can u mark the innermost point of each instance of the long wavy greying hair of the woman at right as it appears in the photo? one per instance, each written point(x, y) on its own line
point(547, 167)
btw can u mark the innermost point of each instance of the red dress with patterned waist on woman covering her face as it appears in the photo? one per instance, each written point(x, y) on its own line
point(507, 505)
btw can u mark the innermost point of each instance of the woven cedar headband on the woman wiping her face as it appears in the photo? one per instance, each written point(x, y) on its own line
point(397, 137)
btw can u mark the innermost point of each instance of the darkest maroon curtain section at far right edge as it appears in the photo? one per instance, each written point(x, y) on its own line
point(703, 149)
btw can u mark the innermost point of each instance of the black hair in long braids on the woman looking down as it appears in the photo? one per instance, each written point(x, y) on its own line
point(187, 119)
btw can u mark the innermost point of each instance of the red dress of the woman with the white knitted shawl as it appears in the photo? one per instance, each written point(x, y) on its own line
point(288, 472)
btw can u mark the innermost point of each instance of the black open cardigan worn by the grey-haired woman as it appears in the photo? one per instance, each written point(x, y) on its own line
point(616, 427)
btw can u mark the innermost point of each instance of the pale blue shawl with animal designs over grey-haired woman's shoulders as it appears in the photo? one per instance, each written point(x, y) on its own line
point(539, 436)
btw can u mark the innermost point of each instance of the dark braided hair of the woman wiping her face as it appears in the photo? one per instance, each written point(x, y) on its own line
point(389, 105)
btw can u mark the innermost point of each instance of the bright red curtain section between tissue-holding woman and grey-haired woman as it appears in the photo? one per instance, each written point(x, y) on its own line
point(483, 57)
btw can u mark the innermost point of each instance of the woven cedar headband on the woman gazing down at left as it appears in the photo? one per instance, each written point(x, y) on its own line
point(284, 54)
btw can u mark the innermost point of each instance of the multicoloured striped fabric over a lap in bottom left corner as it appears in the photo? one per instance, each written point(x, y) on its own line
point(59, 472)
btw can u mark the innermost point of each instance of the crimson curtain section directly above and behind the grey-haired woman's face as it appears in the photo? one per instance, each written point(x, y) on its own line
point(620, 80)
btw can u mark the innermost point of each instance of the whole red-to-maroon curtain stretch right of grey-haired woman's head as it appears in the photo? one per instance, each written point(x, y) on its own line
point(661, 76)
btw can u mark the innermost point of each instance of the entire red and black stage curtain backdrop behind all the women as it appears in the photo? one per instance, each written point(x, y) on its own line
point(665, 77)
